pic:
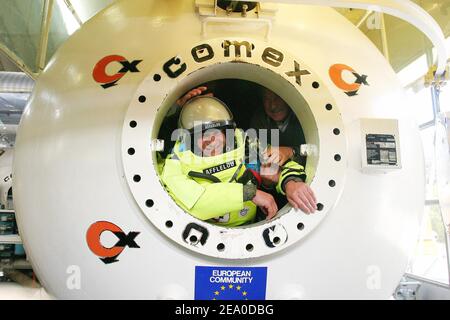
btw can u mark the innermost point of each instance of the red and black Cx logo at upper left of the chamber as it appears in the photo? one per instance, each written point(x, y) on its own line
point(99, 73)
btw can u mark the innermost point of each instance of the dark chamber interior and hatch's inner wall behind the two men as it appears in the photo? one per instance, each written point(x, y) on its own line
point(241, 87)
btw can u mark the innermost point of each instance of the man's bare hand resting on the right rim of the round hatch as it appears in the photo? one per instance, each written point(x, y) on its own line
point(301, 196)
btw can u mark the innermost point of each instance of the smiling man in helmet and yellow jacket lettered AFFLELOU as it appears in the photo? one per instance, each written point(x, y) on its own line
point(207, 174)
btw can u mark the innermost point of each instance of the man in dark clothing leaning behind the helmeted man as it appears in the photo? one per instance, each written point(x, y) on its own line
point(276, 115)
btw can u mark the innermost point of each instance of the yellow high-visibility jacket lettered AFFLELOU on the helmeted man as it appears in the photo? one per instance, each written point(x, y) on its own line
point(220, 202)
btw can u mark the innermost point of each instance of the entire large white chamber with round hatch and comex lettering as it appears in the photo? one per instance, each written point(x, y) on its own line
point(95, 218)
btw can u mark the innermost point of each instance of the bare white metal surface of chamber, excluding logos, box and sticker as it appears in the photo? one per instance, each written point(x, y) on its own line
point(69, 159)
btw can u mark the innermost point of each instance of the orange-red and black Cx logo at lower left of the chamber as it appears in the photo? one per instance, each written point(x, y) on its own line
point(109, 255)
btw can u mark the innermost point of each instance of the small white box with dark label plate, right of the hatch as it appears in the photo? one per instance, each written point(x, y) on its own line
point(380, 145)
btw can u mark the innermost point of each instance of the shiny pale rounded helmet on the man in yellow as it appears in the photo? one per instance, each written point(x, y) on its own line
point(203, 113)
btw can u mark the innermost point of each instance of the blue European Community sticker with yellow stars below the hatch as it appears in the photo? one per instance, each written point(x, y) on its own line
point(230, 283)
